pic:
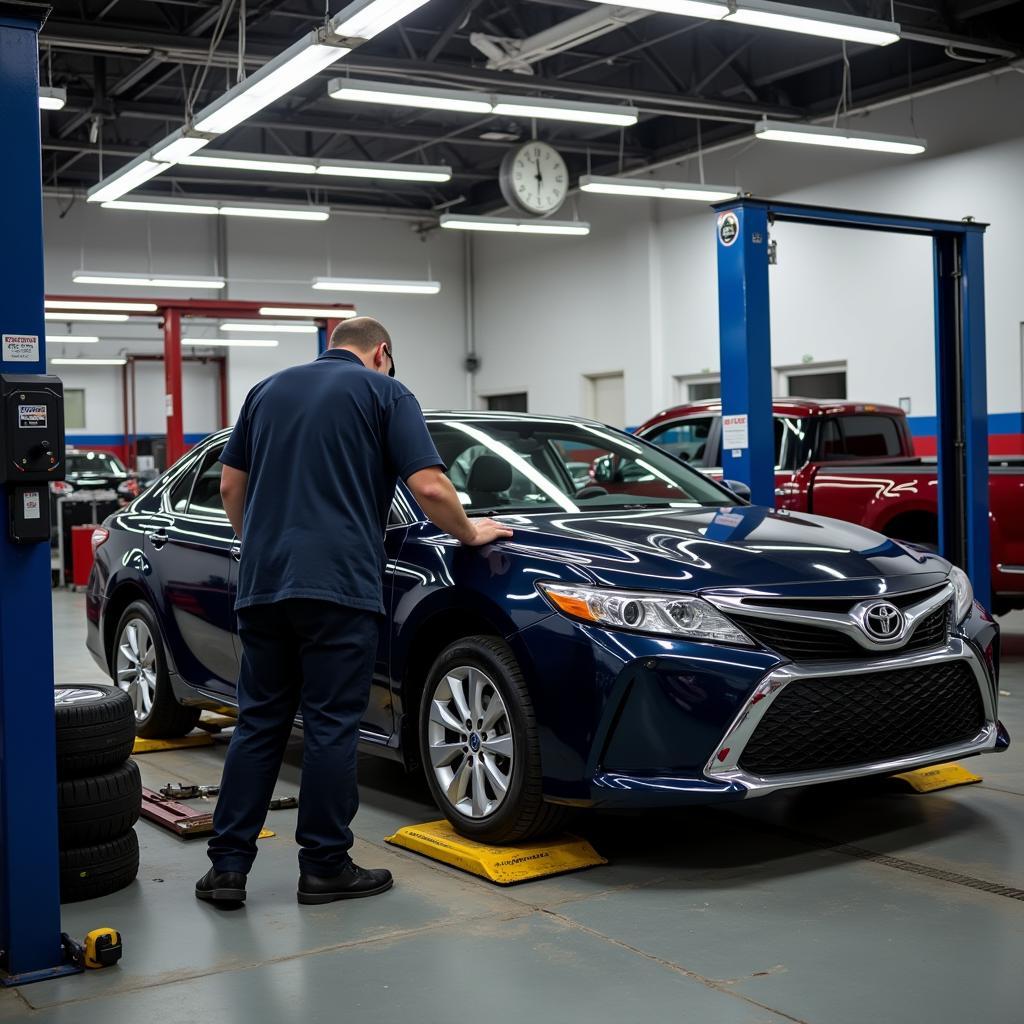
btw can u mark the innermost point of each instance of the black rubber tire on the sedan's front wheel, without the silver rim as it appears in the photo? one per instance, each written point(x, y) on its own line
point(523, 815)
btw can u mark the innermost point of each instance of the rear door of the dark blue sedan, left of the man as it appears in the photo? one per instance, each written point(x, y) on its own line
point(191, 550)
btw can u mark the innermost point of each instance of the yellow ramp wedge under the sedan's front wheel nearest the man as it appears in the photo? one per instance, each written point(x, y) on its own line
point(505, 866)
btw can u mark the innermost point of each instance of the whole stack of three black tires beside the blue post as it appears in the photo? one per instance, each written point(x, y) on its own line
point(100, 791)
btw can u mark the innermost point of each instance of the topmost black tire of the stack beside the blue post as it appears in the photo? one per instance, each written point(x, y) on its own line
point(96, 730)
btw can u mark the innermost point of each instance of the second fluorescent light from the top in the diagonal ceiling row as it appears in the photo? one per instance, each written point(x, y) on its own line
point(302, 62)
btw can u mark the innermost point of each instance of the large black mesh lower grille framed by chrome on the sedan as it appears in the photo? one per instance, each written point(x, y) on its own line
point(837, 721)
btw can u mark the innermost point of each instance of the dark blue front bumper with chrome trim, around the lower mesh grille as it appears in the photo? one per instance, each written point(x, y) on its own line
point(666, 723)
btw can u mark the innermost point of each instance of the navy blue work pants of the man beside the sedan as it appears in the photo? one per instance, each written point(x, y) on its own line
point(297, 655)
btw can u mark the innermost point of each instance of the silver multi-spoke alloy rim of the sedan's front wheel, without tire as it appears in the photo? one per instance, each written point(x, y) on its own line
point(470, 742)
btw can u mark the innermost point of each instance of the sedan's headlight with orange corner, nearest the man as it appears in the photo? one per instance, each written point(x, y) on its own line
point(642, 612)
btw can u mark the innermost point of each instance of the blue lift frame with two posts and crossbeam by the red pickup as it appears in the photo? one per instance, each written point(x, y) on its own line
point(960, 360)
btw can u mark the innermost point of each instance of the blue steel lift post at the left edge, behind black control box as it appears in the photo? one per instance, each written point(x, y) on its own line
point(30, 891)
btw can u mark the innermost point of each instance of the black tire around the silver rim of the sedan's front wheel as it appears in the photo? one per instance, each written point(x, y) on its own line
point(534, 818)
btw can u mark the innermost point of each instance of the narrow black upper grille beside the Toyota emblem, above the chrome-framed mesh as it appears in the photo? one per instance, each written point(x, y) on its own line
point(804, 644)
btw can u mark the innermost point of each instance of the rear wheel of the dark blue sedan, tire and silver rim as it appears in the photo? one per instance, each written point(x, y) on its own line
point(140, 668)
